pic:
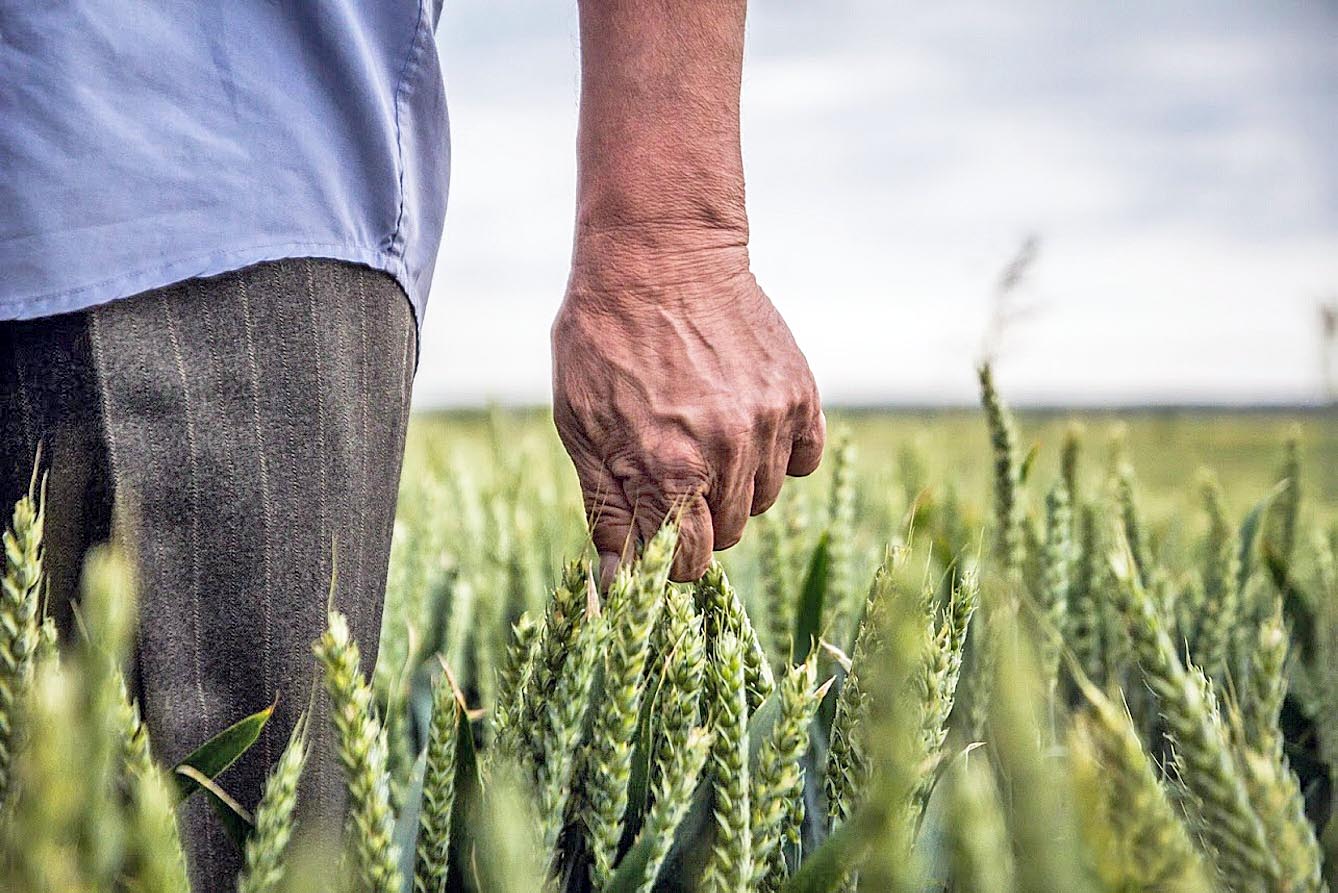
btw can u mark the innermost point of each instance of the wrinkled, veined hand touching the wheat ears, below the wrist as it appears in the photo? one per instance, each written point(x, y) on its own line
point(679, 390)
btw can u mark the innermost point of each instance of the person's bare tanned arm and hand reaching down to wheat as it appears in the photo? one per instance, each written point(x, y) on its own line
point(679, 390)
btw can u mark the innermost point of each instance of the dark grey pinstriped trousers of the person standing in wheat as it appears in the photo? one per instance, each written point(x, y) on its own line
point(239, 432)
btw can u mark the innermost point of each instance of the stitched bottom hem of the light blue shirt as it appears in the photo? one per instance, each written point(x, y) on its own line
point(201, 266)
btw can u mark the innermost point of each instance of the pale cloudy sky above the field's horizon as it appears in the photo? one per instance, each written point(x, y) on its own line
point(1178, 165)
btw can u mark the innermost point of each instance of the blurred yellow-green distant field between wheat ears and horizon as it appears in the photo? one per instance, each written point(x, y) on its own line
point(897, 452)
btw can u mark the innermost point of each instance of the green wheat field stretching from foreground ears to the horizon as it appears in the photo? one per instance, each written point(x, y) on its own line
point(977, 651)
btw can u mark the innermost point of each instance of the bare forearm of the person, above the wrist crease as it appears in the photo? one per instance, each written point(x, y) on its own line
point(659, 155)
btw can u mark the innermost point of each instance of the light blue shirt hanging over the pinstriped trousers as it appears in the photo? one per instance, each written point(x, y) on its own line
point(144, 143)
